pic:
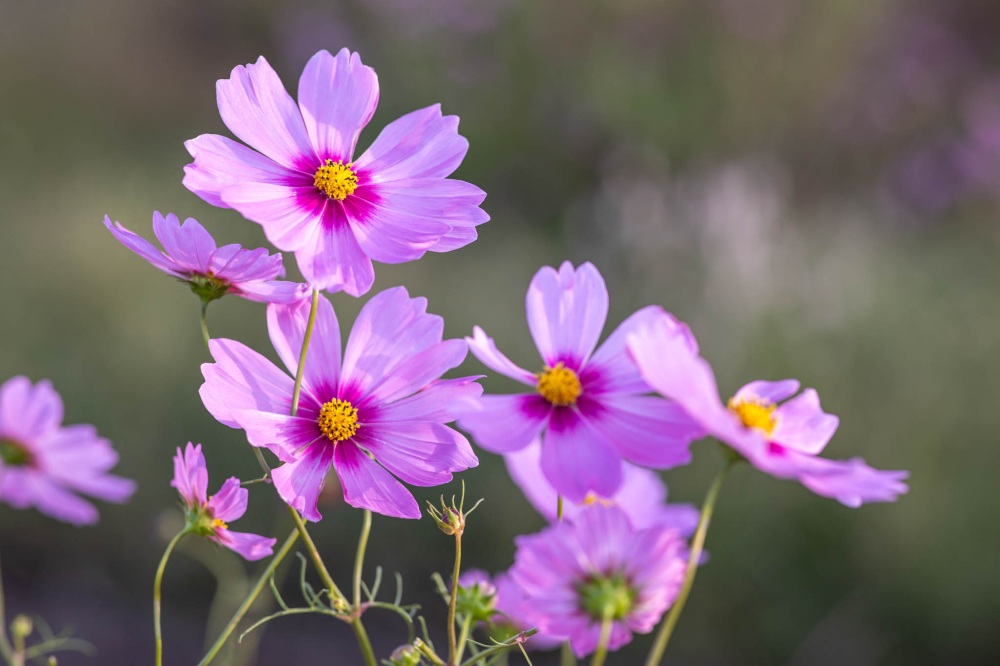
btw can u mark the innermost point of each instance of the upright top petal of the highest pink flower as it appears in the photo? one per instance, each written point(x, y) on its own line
point(337, 98)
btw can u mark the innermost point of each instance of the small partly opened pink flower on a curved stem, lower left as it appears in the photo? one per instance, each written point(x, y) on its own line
point(209, 517)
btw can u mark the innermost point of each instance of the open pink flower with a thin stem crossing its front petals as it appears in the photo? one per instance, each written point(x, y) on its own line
point(377, 412)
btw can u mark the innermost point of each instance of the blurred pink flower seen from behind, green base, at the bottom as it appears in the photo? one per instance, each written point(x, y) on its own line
point(574, 575)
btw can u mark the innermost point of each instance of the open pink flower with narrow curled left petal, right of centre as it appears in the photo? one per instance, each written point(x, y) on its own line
point(591, 405)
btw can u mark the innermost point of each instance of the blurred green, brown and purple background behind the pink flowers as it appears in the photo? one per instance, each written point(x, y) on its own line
point(813, 186)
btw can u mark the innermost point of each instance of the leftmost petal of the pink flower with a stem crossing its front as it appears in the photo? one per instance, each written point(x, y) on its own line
point(240, 379)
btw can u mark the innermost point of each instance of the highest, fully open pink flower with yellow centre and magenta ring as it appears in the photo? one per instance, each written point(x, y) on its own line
point(300, 181)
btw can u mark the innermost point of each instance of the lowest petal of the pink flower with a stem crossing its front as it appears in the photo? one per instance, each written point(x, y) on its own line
point(368, 486)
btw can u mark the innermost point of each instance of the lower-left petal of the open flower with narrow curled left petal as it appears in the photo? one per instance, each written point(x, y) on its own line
point(505, 423)
